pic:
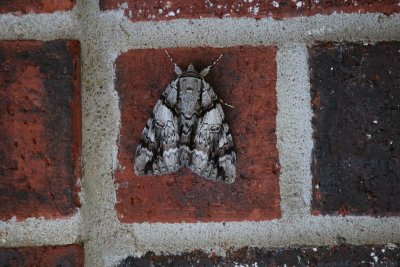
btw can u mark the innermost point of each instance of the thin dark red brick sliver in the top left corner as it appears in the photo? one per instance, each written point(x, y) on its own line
point(35, 6)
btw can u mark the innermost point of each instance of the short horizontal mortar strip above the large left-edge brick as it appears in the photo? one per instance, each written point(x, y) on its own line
point(58, 25)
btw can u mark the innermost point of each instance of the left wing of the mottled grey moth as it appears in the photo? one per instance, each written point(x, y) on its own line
point(157, 152)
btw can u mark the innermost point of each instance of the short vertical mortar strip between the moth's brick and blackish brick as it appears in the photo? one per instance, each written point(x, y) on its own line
point(294, 131)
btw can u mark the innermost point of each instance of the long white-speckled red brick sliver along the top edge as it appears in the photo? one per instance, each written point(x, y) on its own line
point(162, 10)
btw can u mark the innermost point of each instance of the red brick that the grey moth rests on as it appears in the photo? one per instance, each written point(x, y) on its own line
point(245, 77)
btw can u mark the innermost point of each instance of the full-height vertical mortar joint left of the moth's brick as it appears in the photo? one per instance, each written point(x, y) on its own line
point(102, 39)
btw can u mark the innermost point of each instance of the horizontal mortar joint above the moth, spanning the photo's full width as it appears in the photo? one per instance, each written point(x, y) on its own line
point(199, 32)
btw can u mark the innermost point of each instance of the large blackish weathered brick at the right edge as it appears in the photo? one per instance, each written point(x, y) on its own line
point(356, 158)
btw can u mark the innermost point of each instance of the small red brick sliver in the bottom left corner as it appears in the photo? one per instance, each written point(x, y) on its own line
point(62, 256)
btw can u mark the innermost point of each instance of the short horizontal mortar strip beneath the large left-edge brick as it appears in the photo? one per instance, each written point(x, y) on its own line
point(39, 231)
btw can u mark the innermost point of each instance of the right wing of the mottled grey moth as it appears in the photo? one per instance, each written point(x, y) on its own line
point(213, 156)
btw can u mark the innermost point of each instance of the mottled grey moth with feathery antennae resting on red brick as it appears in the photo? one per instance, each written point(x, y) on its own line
point(187, 129)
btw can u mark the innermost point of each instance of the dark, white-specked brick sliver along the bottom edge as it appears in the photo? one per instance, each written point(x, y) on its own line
point(345, 255)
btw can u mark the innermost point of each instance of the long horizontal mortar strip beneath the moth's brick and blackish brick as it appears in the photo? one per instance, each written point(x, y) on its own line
point(305, 231)
